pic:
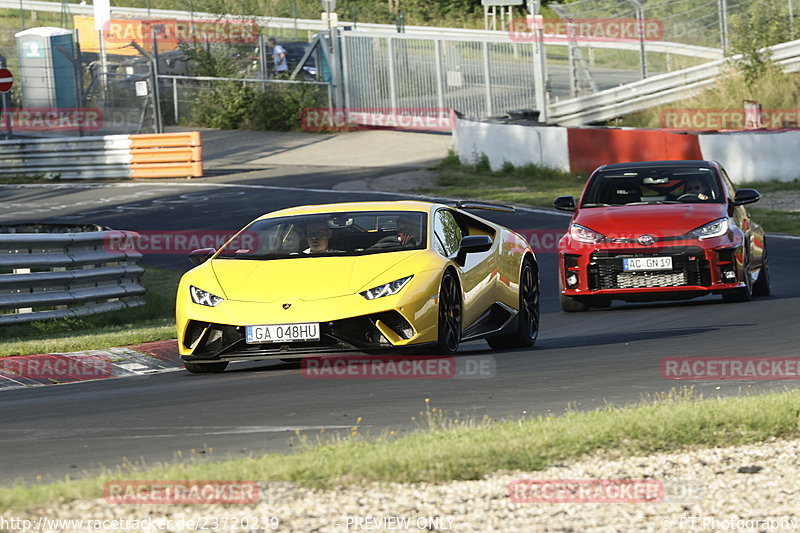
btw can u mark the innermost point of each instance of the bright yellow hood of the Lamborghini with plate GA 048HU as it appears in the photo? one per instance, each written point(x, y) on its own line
point(304, 278)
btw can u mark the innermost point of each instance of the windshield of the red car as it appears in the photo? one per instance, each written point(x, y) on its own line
point(652, 185)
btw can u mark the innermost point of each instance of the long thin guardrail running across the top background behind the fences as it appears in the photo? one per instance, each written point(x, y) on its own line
point(319, 25)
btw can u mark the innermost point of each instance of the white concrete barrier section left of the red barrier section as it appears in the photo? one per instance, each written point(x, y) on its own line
point(517, 144)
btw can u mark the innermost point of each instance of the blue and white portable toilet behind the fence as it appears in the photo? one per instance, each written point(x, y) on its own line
point(48, 76)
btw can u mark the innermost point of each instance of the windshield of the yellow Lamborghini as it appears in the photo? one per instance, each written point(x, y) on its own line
point(340, 233)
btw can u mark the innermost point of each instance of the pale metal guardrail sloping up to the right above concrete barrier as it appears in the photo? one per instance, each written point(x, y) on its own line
point(657, 90)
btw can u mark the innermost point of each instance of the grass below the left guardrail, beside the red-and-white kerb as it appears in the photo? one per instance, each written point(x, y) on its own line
point(150, 322)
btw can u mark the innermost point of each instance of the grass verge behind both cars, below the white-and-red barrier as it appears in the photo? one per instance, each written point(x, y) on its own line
point(539, 186)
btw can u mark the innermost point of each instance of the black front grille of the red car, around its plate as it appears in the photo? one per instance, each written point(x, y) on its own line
point(689, 267)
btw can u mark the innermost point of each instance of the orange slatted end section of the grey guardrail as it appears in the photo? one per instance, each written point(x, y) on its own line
point(166, 155)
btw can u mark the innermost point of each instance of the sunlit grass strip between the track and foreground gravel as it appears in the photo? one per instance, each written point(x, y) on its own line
point(447, 449)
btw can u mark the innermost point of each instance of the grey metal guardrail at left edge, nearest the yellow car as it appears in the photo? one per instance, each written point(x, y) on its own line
point(56, 275)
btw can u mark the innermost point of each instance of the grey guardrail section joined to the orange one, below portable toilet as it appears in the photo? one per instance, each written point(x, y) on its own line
point(67, 157)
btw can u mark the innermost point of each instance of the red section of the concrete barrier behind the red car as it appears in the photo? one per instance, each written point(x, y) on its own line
point(591, 147)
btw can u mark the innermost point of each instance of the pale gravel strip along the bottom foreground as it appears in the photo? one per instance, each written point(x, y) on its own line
point(714, 489)
